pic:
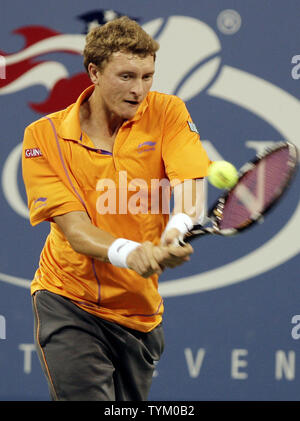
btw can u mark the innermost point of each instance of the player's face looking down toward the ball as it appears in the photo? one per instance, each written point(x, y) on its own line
point(124, 83)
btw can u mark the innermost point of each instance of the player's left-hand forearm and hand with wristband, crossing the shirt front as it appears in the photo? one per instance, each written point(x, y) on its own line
point(144, 258)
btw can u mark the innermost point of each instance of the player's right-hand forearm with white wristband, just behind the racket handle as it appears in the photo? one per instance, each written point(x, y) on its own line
point(189, 209)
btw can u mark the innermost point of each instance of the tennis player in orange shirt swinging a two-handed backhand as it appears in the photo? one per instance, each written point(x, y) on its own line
point(97, 172)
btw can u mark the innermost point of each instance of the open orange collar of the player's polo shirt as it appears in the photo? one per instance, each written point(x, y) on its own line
point(70, 126)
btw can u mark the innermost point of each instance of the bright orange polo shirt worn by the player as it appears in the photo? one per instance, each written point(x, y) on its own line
point(64, 172)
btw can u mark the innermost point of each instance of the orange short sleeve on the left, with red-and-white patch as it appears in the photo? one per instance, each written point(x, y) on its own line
point(47, 194)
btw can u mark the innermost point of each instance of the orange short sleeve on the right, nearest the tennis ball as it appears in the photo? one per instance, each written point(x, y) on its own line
point(182, 151)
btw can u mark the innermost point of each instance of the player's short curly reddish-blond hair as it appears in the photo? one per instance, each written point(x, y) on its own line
point(122, 34)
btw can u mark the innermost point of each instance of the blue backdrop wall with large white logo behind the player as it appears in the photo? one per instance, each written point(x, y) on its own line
point(228, 318)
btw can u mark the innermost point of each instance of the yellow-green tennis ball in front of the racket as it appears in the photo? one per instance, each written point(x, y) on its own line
point(222, 174)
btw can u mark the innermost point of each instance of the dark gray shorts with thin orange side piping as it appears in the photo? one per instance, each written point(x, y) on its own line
point(86, 358)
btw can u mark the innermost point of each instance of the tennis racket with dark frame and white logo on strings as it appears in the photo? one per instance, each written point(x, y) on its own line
point(260, 185)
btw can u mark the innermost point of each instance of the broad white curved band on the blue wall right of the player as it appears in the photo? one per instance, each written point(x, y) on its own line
point(281, 110)
